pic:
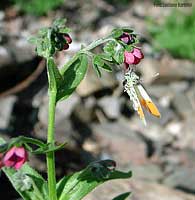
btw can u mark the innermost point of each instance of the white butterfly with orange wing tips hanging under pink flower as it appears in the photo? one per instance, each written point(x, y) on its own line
point(139, 96)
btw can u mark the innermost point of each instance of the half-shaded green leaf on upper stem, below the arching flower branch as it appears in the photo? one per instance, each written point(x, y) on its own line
point(72, 74)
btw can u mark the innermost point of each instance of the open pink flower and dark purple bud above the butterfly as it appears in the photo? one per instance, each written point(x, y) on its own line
point(133, 57)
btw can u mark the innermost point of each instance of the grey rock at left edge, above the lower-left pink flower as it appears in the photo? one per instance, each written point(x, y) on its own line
point(6, 105)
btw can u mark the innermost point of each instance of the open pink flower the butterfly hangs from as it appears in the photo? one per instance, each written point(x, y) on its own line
point(133, 57)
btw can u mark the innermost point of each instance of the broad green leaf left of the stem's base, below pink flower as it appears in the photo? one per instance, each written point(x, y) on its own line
point(37, 191)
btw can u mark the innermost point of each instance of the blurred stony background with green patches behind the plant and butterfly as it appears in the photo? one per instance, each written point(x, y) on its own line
point(98, 120)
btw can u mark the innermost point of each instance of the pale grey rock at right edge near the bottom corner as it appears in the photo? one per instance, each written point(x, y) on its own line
point(182, 178)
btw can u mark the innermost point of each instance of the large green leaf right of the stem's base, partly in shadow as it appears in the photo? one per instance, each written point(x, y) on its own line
point(81, 183)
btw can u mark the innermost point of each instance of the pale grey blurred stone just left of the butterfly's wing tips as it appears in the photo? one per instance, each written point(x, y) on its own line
point(110, 106)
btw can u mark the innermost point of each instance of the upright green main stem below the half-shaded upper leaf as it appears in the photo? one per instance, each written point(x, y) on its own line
point(50, 139)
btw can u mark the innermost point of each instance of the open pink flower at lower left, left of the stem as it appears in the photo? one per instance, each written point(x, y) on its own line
point(15, 157)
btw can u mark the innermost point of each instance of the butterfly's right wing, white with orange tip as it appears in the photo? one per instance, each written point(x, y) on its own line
point(146, 101)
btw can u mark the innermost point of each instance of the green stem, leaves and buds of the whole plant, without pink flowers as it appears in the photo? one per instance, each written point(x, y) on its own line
point(62, 83)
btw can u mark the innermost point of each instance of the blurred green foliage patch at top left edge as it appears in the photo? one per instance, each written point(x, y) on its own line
point(37, 7)
